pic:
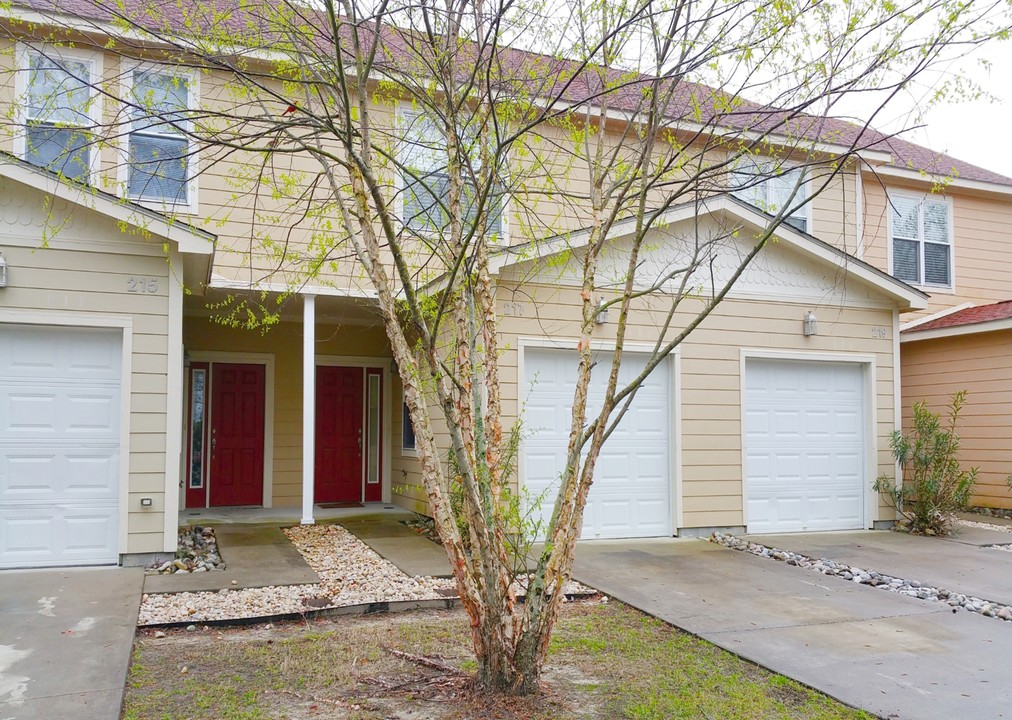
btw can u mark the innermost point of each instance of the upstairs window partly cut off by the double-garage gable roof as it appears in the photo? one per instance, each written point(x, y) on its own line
point(769, 186)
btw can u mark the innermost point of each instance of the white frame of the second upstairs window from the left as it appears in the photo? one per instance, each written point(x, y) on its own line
point(154, 132)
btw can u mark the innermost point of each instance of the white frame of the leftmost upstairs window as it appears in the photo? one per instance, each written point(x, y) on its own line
point(71, 59)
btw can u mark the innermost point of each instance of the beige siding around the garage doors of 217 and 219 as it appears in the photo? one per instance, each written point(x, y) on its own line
point(710, 390)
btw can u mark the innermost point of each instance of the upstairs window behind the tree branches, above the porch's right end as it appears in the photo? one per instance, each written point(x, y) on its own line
point(427, 181)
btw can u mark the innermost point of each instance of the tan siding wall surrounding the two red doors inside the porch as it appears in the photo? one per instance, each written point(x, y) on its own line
point(285, 344)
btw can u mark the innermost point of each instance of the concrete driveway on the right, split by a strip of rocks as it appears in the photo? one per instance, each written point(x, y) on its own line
point(893, 656)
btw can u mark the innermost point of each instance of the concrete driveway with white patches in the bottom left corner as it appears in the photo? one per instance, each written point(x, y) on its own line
point(65, 642)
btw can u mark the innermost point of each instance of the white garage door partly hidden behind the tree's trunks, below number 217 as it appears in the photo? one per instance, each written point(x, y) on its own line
point(630, 498)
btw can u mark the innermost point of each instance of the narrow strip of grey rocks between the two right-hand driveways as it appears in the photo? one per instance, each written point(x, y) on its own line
point(912, 589)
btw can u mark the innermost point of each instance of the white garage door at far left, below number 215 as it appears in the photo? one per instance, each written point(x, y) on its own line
point(59, 446)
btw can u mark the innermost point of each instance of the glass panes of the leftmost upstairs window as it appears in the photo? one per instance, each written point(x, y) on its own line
point(59, 115)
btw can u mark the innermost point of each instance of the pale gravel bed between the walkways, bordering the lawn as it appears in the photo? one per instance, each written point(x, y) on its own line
point(351, 574)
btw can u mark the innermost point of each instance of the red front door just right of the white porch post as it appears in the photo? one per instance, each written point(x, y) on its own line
point(340, 435)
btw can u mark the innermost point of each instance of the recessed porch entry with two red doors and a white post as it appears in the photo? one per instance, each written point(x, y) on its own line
point(293, 426)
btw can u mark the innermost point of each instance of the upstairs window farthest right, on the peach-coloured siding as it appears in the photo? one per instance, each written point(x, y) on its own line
point(921, 241)
